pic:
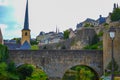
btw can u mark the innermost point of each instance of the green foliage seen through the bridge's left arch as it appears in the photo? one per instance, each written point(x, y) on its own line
point(30, 72)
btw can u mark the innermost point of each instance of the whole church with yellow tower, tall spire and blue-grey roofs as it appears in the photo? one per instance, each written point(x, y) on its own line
point(25, 39)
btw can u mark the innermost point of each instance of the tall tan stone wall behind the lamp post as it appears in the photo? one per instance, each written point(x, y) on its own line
point(107, 46)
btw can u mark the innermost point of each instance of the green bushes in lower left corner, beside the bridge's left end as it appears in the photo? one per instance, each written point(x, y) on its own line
point(6, 70)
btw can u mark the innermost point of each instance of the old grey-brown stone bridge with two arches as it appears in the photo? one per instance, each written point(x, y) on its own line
point(56, 62)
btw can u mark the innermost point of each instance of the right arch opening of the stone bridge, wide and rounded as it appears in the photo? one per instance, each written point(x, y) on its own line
point(77, 70)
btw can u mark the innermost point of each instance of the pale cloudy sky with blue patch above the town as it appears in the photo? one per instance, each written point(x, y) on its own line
point(46, 15)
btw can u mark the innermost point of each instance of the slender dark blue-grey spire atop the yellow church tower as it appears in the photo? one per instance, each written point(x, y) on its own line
point(26, 22)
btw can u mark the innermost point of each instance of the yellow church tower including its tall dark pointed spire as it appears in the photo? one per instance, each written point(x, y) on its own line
point(26, 31)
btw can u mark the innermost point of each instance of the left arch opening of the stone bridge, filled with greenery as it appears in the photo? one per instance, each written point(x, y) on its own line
point(37, 70)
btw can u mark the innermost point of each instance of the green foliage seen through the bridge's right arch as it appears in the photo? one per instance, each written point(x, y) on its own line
point(80, 73)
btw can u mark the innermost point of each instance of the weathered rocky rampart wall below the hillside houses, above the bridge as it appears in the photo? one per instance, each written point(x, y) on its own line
point(83, 37)
